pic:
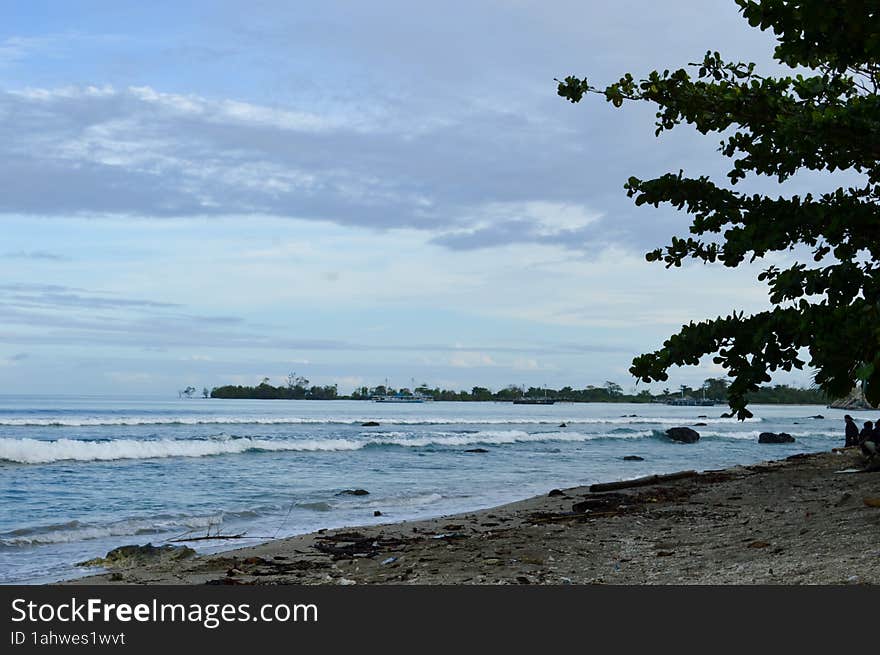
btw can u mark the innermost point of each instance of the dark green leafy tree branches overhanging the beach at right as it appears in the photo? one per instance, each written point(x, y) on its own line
point(824, 118)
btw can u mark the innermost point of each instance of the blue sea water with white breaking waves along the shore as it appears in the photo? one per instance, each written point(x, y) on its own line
point(80, 476)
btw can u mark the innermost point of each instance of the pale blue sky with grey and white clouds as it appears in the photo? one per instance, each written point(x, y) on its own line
point(207, 193)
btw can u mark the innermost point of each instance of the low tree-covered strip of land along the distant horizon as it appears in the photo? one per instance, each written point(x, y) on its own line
point(712, 390)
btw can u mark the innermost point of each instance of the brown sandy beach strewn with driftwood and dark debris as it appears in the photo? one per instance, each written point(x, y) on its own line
point(807, 519)
